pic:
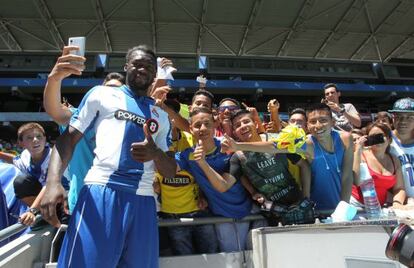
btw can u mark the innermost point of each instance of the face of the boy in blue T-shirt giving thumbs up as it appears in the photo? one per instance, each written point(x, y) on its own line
point(202, 126)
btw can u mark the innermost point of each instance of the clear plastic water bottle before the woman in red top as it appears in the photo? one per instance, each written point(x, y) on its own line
point(372, 205)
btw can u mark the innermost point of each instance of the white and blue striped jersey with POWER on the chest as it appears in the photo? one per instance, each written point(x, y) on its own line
point(117, 117)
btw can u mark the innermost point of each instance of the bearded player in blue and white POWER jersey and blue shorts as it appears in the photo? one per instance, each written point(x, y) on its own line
point(116, 205)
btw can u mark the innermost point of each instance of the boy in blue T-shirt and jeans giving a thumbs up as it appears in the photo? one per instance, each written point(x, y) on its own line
point(225, 195)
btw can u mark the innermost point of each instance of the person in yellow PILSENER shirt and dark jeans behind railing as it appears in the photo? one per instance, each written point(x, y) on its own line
point(180, 198)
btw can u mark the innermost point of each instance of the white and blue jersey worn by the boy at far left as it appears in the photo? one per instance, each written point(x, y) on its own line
point(38, 171)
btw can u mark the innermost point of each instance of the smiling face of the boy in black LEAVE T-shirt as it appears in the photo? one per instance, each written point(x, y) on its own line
point(244, 128)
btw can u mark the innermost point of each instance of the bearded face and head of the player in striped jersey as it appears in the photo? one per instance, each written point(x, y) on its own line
point(140, 72)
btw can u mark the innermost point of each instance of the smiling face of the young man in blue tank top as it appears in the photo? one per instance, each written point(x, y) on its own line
point(320, 123)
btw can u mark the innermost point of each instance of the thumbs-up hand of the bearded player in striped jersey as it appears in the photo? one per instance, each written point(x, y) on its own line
point(145, 150)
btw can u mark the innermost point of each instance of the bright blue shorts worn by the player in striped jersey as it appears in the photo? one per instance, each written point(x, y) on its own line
point(110, 228)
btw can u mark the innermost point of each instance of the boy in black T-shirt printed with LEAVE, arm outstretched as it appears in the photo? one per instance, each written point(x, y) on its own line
point(266, 176)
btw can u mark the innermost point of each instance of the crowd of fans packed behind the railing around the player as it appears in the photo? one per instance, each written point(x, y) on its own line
point(230, 162)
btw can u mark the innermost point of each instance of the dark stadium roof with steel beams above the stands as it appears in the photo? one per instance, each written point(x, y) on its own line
point(372, 30)
